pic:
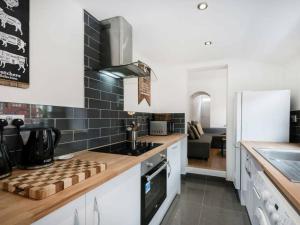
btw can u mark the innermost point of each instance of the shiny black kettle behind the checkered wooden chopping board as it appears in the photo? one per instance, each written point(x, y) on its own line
point(38, 151)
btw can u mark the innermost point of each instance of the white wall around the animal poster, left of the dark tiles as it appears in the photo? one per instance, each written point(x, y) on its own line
point(56, 56)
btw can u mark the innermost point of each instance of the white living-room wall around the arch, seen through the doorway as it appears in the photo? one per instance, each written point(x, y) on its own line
point(213, 82)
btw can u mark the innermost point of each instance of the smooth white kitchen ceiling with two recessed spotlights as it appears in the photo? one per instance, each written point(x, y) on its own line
point(174, 31)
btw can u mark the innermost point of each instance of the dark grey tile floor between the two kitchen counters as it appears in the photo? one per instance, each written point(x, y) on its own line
point(206, 201)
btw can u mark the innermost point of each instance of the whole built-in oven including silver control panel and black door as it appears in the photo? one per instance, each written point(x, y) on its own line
point(153, 185)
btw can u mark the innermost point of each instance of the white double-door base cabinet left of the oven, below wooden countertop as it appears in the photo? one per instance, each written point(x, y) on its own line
point(113, 203)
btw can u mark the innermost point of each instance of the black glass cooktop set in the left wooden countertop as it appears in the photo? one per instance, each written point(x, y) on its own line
point(124, 148)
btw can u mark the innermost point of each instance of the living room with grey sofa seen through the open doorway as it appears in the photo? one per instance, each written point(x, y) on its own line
point(207, 91)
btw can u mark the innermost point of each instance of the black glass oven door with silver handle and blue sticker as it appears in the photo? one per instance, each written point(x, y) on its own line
point(153, 191)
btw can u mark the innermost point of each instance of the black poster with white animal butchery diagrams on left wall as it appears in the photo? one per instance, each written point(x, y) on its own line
point(14, 43)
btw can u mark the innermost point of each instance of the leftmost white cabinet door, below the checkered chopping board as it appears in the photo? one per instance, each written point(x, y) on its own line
point(71, 214)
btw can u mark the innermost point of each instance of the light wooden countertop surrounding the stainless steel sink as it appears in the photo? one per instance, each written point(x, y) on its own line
point(289, 189)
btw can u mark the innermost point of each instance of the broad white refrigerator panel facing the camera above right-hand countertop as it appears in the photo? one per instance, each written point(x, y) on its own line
point(266, 115)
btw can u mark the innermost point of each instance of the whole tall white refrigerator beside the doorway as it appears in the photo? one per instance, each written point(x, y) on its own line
point(260, 116)
